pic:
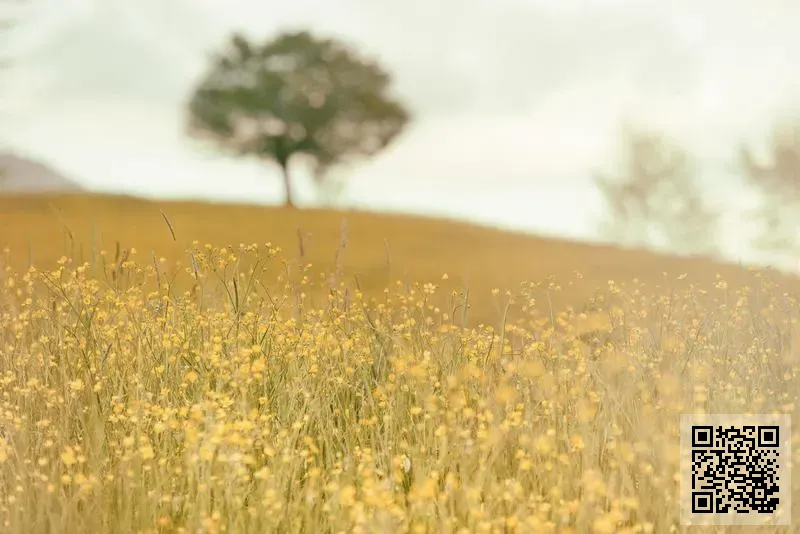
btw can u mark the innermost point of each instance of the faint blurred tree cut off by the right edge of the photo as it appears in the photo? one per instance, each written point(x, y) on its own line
point(777, 178)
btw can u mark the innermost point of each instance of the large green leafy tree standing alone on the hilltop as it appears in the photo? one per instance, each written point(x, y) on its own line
point(296, 95)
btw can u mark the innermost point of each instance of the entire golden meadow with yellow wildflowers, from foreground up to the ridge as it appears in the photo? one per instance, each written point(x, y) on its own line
point(212, 374)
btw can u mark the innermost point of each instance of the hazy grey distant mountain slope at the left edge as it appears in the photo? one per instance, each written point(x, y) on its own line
point(23, 175)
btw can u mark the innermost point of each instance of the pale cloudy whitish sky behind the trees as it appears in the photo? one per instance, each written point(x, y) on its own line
point(517, 103)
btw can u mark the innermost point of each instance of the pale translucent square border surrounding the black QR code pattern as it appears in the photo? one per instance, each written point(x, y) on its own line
point(782, 514)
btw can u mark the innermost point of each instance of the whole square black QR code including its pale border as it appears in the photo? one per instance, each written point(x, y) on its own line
point(735, 469)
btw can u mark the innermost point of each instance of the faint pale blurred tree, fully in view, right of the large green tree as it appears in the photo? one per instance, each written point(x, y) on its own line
point(655, 200)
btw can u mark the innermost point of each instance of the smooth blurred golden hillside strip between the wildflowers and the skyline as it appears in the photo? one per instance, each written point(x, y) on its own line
point(378, 249)
